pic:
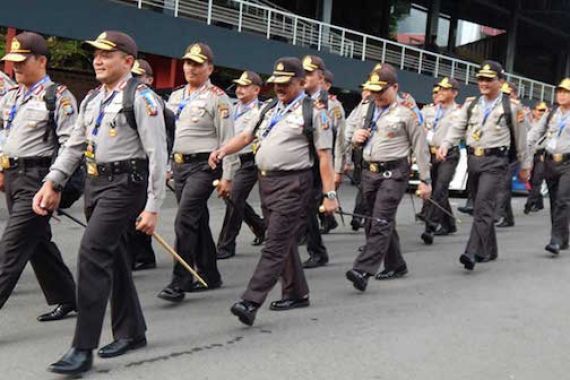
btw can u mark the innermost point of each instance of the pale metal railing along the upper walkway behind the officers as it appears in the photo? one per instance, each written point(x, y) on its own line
point(277, 24)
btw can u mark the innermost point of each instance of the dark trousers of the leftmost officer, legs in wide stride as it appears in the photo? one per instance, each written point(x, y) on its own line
point(27, 237)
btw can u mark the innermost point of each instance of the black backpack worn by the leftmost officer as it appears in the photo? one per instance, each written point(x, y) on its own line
point(73, 189)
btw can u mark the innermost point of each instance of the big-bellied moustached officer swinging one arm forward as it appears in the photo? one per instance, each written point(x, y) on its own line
point(285, 158)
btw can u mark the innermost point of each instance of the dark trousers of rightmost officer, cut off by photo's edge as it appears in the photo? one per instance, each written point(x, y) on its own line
point(558, 182)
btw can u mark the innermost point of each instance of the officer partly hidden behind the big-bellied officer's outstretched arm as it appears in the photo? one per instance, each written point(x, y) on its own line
point(238, 210)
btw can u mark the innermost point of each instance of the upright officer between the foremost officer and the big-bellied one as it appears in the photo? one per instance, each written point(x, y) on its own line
point(203, 124)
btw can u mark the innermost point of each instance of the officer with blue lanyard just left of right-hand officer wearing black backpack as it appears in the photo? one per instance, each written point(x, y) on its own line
point(437, 120)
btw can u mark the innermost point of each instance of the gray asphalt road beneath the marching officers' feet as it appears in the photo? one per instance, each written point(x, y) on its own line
point(506, 320)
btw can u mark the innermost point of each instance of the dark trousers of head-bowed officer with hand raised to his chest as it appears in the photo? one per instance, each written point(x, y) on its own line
point(382, 195)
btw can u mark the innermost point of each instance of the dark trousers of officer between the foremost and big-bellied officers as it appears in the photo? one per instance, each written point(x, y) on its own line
point(194, 242)
